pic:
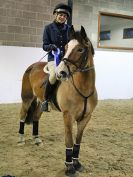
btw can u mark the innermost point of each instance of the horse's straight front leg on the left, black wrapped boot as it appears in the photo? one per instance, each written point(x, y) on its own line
point(69, 144)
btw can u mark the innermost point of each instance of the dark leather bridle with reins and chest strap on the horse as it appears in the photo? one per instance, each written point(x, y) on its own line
point(82, 67)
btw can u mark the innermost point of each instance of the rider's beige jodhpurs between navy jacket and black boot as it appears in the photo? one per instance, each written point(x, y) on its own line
point(52, 74)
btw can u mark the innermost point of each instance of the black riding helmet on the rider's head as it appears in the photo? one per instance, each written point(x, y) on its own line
point(62, 8)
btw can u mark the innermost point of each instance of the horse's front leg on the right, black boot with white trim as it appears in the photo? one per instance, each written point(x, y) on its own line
point(76, 148)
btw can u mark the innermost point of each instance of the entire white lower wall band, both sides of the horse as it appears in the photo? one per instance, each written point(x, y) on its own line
point(114, 72)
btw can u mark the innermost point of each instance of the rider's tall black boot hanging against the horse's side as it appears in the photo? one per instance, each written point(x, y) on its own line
point(48, 91)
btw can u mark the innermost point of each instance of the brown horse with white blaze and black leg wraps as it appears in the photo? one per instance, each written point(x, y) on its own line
point(75, 94)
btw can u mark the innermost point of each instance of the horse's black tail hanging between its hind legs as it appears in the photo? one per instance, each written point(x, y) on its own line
point(30, 113)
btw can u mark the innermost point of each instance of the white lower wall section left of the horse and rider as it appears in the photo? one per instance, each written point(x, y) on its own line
point(13, 63)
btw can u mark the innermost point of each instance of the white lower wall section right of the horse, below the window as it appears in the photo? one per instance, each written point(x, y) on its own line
point(114, 74)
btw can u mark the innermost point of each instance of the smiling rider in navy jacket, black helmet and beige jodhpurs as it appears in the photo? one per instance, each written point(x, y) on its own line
point(55, 36)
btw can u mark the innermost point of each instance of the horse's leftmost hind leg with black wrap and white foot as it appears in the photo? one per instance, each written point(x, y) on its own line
point(23, 113)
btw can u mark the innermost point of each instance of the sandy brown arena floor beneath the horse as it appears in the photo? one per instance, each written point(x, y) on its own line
point(106, 149)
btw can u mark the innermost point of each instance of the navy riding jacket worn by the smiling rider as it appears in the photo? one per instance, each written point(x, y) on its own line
point(55, 34)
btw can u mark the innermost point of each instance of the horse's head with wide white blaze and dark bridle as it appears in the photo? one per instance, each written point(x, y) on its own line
point(78, 55)
